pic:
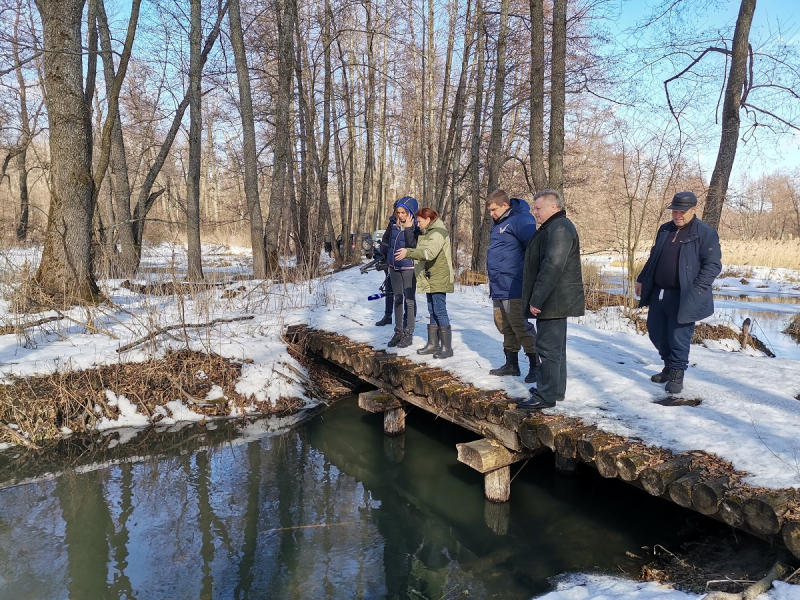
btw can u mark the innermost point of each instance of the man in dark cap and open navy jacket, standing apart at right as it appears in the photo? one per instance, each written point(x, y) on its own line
point(676, 284)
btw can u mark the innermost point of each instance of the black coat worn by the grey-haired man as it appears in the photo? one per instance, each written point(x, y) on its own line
point(552, 280)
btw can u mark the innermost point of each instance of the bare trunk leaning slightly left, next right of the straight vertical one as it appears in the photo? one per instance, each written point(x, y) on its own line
point(248, 143)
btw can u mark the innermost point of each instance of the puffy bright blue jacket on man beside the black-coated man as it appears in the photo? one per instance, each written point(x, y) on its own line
point(509, 238)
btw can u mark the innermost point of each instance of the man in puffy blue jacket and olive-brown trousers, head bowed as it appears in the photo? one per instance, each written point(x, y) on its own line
point(513, 228)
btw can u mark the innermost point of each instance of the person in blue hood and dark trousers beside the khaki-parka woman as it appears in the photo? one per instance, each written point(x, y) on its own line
point(403, 234)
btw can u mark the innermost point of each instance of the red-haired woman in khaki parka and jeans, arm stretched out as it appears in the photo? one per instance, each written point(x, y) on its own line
point(434, 269)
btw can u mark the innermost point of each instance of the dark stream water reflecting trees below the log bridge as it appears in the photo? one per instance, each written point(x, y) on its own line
point(329, 509)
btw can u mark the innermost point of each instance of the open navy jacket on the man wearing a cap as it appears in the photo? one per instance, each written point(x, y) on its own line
point(699, 263)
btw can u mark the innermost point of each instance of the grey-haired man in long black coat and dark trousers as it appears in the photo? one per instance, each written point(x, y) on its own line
point(552, 290)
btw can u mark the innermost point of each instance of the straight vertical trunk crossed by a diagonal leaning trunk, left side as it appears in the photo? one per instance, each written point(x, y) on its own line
point(194, 251)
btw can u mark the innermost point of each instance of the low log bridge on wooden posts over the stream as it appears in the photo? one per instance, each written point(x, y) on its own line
point(693, 480)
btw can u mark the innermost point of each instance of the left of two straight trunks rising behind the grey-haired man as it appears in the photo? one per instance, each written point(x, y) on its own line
point(536, 124)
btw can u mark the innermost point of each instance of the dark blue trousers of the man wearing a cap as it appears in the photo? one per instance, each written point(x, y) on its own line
point(671, 339)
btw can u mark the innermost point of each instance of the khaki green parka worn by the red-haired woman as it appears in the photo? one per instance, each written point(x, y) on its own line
point(433, 262)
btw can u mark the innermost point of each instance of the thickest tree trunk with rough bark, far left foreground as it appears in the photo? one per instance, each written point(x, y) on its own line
point(65, 271)
